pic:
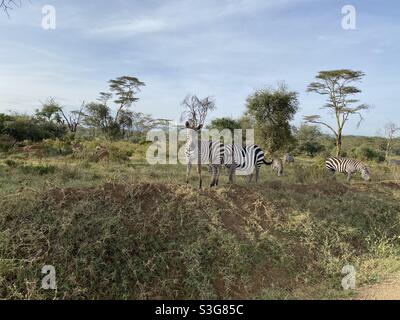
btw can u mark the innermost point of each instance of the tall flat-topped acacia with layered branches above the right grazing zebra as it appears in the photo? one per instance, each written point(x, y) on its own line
point(338, 86)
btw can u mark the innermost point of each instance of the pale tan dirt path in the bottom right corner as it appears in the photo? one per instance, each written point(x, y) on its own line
point(386, 290)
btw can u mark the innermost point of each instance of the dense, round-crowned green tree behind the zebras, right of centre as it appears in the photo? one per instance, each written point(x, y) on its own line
point(271, 111)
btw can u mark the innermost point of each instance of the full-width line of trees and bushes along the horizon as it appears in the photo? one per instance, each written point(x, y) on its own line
point(269, 112)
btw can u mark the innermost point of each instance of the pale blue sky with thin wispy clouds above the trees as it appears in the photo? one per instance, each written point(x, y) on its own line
point(226, 49)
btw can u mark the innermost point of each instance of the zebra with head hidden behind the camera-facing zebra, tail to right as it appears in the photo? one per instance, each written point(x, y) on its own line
point(247, 159)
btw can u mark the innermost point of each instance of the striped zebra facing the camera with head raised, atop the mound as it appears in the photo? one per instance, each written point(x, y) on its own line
point(211, 153)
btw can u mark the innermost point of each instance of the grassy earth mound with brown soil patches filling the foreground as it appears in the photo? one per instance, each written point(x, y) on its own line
point(142, 240)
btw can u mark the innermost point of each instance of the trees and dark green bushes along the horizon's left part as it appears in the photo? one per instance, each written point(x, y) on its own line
point(51, 120)
